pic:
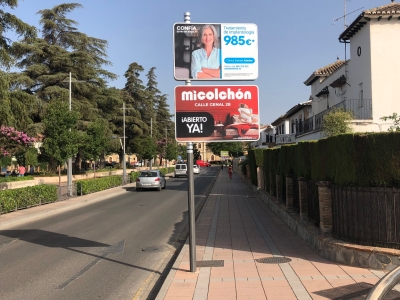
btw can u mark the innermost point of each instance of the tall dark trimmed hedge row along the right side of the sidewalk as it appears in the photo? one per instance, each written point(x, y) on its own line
point(361, 159)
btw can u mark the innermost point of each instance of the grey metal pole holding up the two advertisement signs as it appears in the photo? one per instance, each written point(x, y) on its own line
point(192, 220)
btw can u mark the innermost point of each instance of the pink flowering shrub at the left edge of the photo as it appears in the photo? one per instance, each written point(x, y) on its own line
point(12, 140)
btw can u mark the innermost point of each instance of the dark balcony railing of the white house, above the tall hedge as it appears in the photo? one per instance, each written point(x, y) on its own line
point(361, 109)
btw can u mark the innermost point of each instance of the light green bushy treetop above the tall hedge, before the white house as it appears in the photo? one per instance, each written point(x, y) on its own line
point(336, 122)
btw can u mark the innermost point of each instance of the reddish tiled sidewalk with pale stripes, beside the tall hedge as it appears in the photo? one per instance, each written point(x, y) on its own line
point(236, 227)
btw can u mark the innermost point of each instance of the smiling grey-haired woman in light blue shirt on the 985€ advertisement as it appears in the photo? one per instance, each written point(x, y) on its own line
point(206, 60)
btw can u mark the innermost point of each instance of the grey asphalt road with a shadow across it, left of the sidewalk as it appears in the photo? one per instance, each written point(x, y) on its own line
point(106, 250)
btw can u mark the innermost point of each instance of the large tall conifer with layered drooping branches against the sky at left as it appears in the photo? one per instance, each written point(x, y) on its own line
point(47, 61)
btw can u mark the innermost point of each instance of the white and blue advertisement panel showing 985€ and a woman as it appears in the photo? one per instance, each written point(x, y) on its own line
point(226, 51)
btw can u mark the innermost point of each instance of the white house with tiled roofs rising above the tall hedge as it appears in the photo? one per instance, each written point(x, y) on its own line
point(367, 83)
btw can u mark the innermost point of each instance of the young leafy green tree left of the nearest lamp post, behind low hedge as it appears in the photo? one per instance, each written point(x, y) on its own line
point(61, 137)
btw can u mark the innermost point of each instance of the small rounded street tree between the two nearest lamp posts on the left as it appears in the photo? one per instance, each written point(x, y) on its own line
point(96, 141)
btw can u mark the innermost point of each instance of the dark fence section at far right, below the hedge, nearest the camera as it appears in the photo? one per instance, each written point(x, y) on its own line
point(367, 216)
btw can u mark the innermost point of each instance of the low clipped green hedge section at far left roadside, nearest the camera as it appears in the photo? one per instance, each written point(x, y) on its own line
point(10, 200)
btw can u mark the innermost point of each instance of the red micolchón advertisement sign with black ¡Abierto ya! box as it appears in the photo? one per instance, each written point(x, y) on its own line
point(217, 113)
